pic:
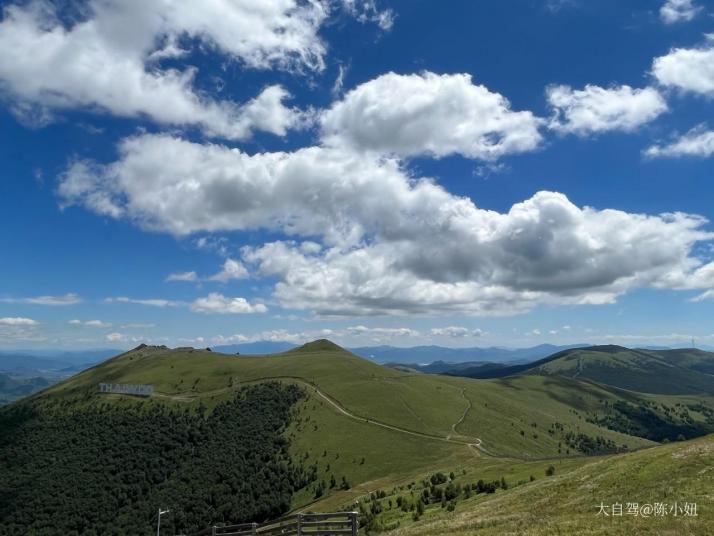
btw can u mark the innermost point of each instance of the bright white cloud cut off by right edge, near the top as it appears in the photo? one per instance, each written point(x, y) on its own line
point(687, 69)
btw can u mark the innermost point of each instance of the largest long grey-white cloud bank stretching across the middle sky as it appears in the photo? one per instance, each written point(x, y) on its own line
point(390, 242)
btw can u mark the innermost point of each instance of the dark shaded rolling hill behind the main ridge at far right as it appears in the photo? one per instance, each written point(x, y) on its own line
point(669, 372)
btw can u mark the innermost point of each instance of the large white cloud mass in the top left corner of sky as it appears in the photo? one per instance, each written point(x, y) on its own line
point(107, 61)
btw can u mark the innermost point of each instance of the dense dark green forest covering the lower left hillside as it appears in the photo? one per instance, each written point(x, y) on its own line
point(105, 470)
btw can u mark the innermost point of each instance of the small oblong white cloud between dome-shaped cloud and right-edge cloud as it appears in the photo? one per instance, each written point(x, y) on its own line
point(595, 109)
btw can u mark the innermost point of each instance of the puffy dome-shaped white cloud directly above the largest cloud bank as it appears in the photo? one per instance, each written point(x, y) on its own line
point(429, 114)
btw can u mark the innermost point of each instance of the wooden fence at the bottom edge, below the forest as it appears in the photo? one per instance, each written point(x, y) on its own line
point(333, 524)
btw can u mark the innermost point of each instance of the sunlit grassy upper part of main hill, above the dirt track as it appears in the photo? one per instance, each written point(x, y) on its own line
point(509, 417)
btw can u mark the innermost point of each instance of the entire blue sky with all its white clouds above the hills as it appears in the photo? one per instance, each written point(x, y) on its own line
point(376, 172)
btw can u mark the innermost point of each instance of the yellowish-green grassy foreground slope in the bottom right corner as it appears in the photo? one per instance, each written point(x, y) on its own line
point(568, 502)
